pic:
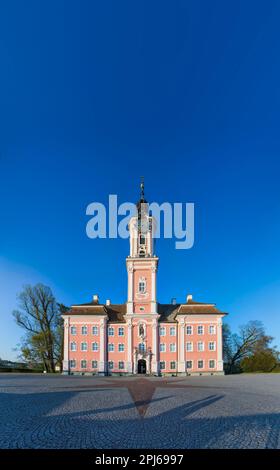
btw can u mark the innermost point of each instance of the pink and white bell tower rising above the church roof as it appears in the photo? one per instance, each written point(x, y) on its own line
point(142, 262)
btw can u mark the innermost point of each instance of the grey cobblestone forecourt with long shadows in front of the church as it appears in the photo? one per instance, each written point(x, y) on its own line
point(90, 412)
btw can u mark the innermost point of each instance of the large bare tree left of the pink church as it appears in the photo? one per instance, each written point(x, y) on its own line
point(38, 315)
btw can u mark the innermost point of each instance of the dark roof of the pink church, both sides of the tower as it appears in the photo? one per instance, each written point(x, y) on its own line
point(168, 312)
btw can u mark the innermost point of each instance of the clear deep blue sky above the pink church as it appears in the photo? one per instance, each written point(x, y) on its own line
point(95, 94)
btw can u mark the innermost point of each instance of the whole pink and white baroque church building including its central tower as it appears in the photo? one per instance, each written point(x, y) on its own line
point(143, 336)
